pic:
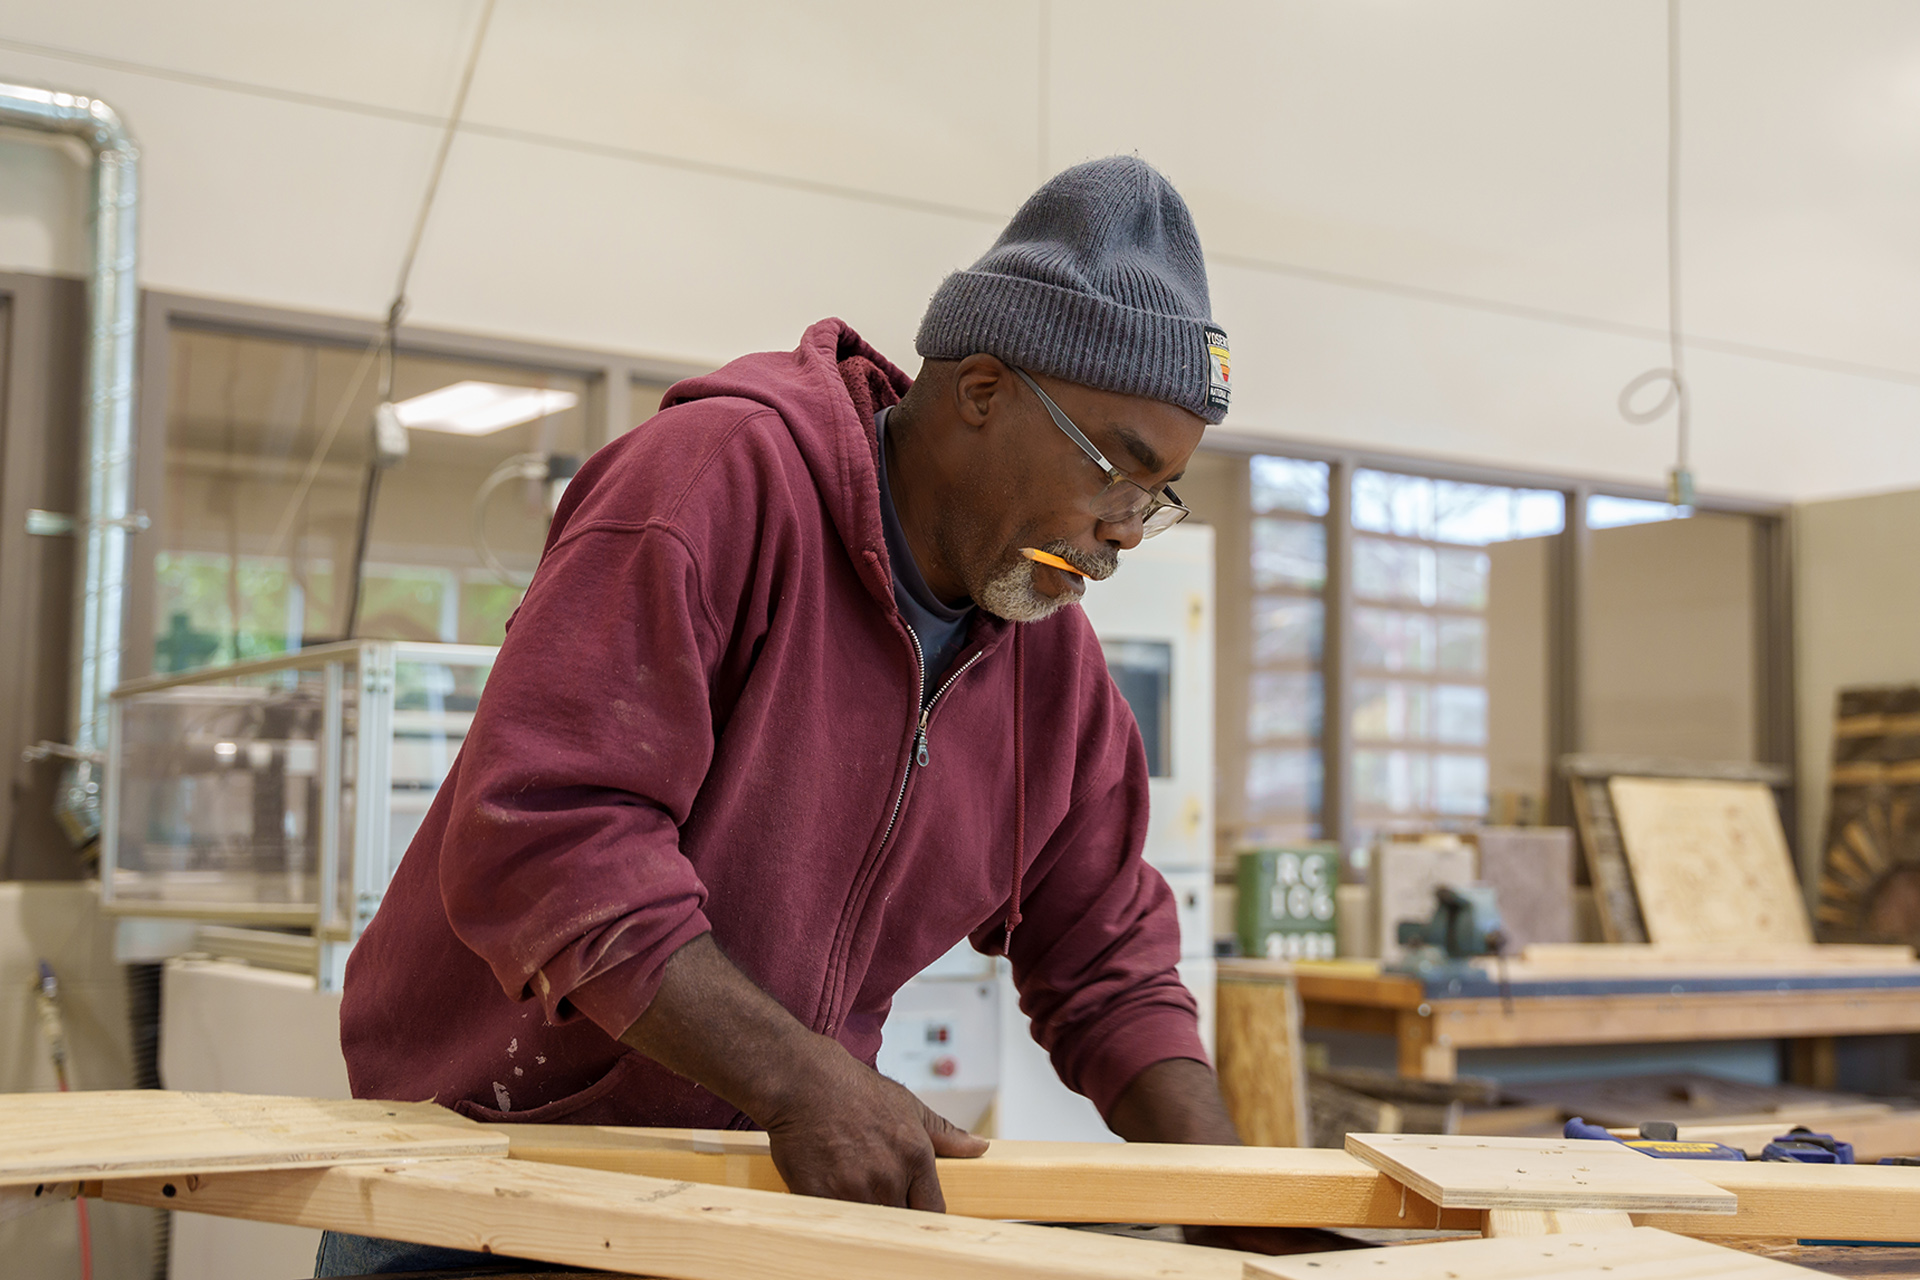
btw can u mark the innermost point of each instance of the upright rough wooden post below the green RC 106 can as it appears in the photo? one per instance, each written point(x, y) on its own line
point(1262, 1068)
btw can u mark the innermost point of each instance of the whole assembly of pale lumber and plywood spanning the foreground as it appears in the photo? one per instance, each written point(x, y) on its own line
point(709, 1206)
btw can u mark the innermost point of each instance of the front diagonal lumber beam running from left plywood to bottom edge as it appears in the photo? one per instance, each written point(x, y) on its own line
point(656, 1227)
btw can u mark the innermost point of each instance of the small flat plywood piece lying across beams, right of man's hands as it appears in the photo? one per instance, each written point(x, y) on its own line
point(1537, 1173)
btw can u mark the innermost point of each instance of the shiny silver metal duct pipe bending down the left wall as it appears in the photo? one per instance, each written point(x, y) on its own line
point(107, 517)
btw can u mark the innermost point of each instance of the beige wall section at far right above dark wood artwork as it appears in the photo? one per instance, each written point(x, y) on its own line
point(1858, 623)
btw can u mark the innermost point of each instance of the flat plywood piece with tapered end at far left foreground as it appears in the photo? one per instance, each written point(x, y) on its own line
point(118, 1133)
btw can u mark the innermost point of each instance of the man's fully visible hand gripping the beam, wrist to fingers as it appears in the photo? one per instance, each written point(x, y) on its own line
point(850, 1133)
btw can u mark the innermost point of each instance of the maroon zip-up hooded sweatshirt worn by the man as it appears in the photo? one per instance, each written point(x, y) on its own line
point(708, 717)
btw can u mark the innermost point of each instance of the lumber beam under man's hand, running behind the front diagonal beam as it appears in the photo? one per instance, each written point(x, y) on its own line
point(1045, 1181)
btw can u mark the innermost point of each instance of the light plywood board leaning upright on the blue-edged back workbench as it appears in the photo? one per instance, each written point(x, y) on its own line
point(1710, 863)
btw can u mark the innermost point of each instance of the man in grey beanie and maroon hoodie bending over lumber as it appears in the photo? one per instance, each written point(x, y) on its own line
point(790, 711)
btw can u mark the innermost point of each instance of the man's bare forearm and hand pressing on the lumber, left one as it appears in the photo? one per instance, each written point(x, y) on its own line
point(838, 1127)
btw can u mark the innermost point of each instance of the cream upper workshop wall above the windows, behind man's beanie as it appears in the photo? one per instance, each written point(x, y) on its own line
point(1433, 229)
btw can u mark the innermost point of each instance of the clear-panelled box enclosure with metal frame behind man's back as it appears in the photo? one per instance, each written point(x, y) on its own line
point(287, 790)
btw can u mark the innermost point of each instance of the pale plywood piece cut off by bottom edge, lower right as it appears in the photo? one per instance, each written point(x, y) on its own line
point(1631, 1254)
